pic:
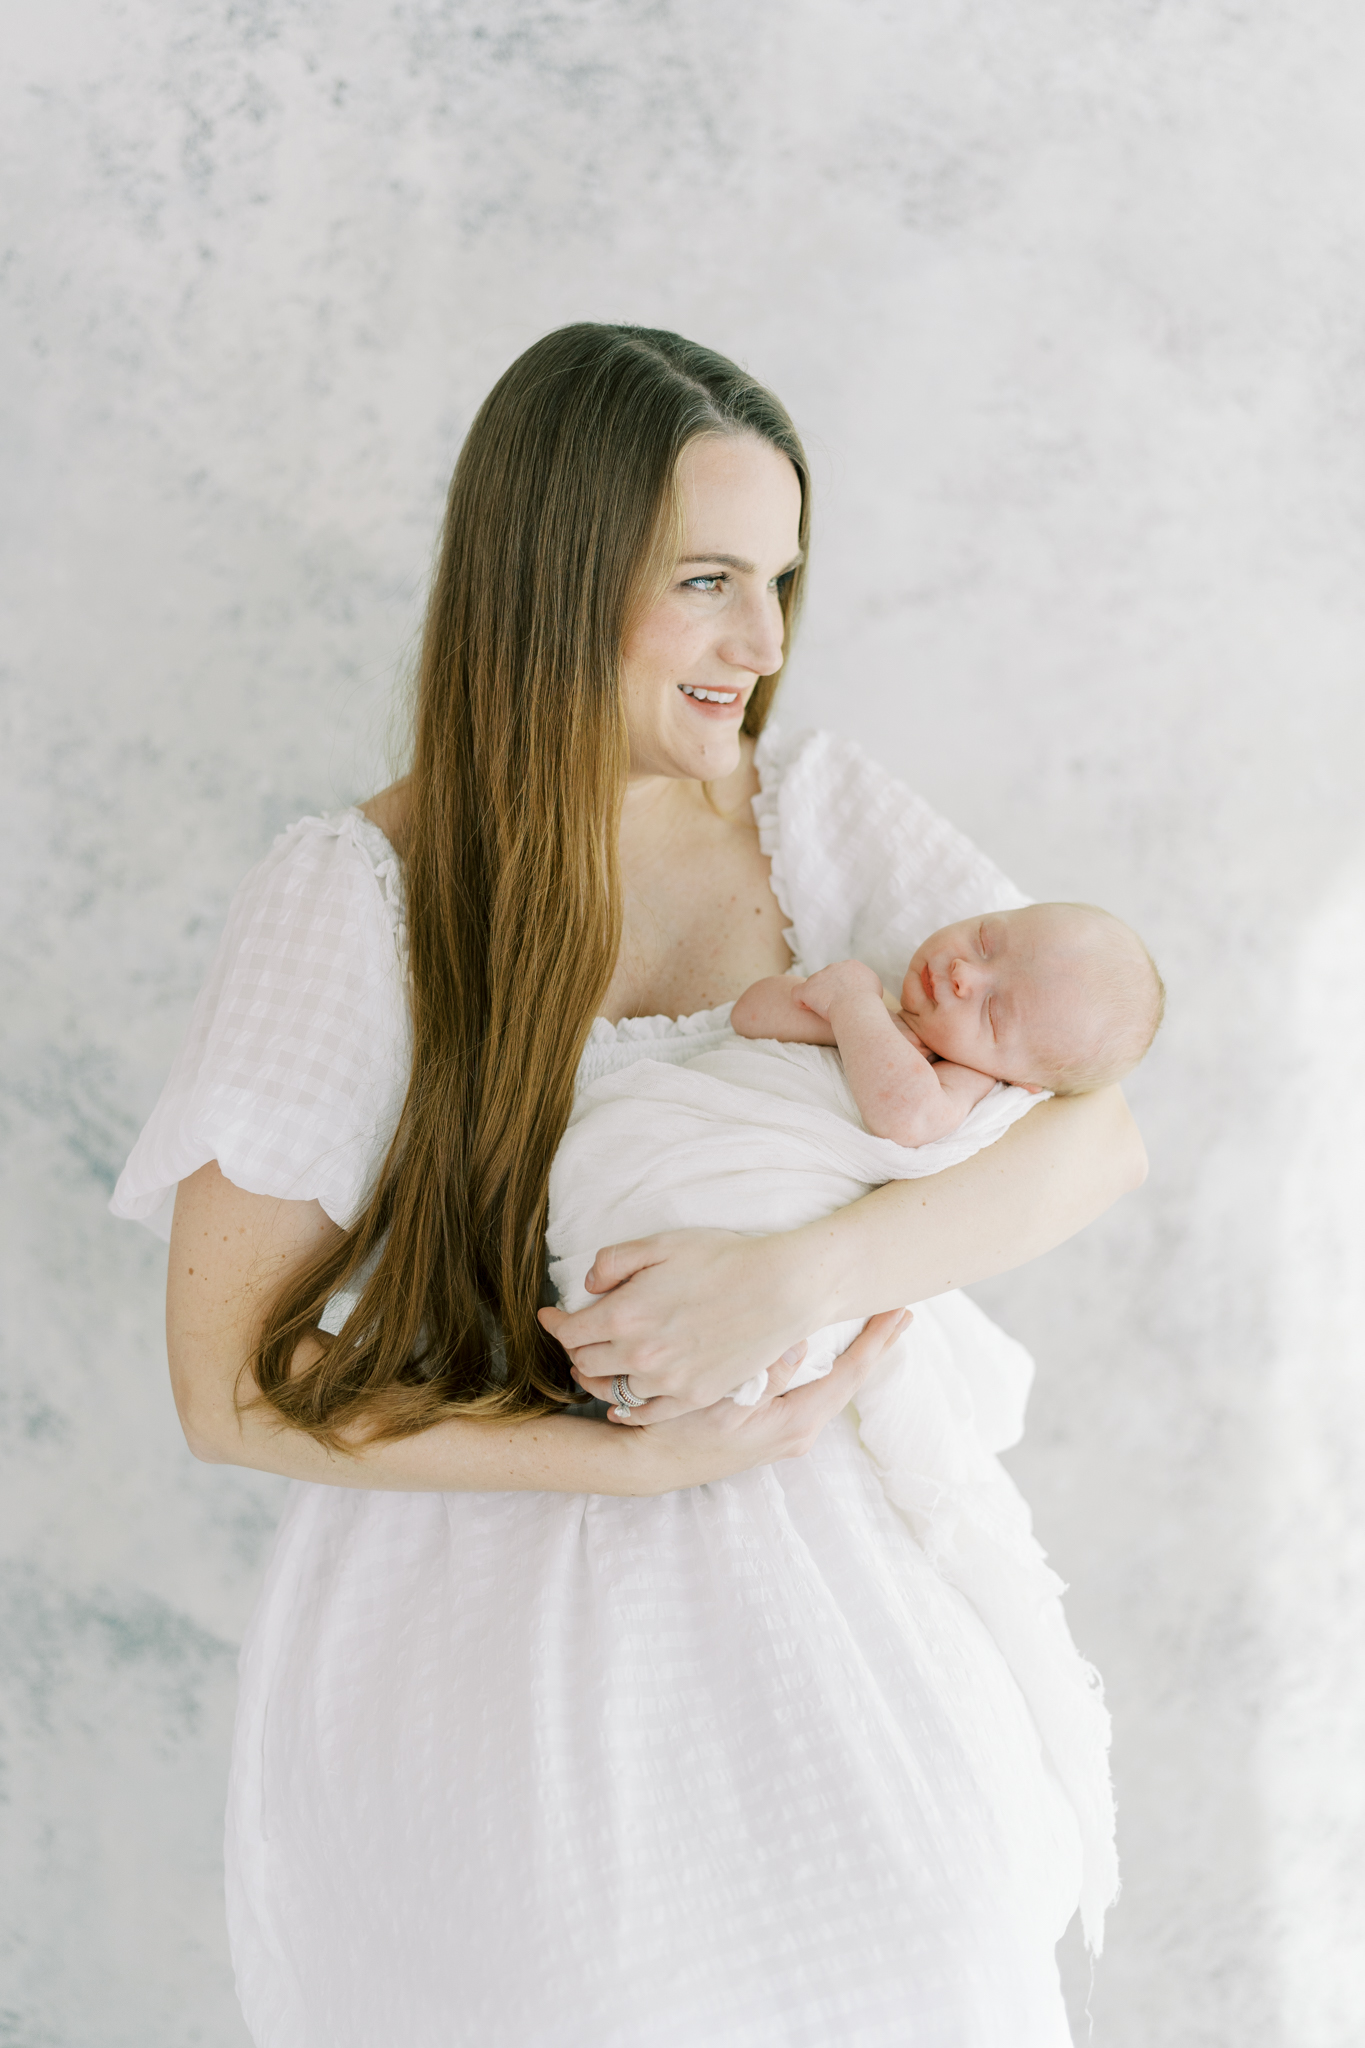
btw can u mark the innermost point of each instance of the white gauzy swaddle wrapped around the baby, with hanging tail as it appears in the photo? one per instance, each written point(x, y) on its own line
point(764, 1138)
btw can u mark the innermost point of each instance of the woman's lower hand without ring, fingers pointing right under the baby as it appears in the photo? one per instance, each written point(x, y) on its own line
point(715, 1443)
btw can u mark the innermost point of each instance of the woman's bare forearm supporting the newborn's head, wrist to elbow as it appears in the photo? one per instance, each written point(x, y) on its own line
point(1051, 1175)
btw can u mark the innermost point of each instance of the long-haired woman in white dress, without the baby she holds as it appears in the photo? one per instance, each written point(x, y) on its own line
point(556, 1727)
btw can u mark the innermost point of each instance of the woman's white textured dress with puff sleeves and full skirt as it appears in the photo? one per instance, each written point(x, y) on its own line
point(730, 1768)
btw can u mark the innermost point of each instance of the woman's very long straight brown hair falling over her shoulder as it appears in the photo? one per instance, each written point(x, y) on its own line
point(562, 521)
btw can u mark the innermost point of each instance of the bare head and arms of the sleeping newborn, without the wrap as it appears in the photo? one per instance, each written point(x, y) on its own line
point(1057, 996)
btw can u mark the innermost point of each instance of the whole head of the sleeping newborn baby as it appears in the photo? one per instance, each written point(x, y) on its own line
point(1055, 996)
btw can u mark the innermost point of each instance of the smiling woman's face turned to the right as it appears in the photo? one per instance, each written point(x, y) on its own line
point(691, 665)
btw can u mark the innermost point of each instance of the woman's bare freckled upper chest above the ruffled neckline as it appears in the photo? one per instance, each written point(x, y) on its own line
point(699, 929)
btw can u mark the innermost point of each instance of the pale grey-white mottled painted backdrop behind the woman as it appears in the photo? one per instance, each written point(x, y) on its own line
point(1071, 306)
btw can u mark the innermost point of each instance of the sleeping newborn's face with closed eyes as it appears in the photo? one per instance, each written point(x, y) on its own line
point(1000, 992)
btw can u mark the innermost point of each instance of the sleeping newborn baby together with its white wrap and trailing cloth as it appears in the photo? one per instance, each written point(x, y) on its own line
point(828, 1093)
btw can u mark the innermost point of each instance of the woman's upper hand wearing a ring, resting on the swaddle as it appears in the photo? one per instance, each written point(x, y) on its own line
point(689, 1316)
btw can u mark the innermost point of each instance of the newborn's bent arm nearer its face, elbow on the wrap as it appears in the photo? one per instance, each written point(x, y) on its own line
point(897, 1091)
